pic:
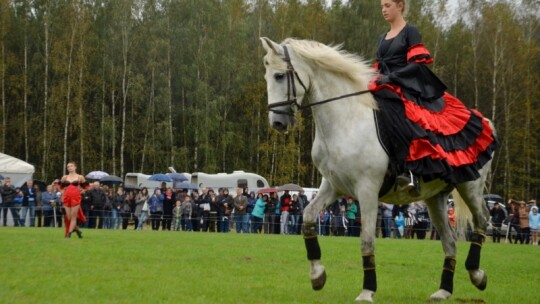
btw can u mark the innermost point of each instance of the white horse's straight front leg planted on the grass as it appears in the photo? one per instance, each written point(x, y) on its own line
point(368, 212)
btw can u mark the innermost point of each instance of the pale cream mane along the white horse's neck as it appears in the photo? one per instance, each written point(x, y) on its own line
point(334, 59)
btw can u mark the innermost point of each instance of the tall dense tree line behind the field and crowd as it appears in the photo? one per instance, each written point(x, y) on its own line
point(141, 85)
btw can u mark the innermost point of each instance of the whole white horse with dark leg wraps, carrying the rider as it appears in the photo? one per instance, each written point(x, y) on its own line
point(306, 74)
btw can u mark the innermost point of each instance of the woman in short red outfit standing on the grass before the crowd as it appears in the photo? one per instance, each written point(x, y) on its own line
point(73, 185)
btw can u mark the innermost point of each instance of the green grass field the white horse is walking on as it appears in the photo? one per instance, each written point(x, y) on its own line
point(40, 266)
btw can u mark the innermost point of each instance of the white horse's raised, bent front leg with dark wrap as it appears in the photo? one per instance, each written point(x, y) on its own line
point(325, 196)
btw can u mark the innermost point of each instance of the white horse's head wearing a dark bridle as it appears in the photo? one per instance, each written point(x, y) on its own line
point(284, 84)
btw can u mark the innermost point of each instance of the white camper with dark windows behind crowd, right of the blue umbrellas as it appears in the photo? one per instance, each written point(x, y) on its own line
point(237, 179)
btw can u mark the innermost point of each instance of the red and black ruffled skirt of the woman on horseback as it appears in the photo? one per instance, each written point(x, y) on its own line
point(435, 139)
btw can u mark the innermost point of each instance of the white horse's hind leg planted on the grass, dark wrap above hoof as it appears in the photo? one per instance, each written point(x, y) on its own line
point(439, 218)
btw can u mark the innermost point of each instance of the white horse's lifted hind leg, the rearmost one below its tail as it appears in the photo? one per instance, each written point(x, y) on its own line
point(471, 193)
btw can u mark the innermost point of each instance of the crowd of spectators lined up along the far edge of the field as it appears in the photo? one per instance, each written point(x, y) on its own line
point(162, 208)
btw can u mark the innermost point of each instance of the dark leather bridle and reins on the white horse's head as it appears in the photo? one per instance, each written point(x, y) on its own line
point(291, 91)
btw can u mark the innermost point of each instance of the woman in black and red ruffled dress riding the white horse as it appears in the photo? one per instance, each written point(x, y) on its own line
point(433, 135)
